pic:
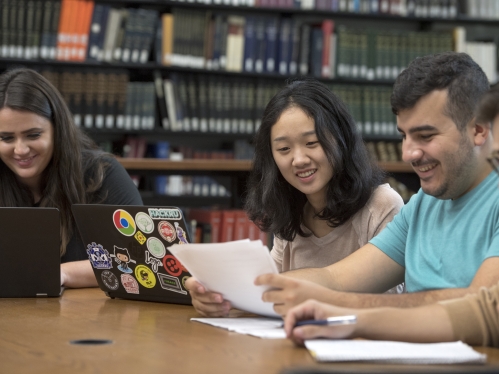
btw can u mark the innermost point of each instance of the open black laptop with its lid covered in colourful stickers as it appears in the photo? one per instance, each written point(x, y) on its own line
point(128, 249)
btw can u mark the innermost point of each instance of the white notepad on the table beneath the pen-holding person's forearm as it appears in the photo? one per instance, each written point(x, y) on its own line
point(393, 352)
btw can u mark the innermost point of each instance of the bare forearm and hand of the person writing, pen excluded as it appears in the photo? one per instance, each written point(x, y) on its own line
point(425, 324)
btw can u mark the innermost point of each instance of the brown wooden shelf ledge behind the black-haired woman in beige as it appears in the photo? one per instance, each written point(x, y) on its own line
point(222, 165)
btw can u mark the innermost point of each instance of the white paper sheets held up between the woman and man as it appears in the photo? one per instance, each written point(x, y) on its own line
point(230, 269)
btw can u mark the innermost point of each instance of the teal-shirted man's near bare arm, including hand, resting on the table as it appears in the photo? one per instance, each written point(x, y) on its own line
point(291, 292)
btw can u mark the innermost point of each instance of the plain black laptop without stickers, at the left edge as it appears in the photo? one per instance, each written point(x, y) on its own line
point(30, 252)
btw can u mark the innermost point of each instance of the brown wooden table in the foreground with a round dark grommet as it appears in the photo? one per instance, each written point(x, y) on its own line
point(36, 336)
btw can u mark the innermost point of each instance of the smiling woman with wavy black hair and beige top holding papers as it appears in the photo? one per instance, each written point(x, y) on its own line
point(313, 185)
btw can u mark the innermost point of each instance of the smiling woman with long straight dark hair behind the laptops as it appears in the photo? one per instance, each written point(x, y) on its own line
point(46, 161)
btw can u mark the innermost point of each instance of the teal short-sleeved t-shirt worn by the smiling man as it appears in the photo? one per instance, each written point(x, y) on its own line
point(442, 243)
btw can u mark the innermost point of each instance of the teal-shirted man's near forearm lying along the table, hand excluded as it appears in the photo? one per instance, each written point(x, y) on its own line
point(356, 300)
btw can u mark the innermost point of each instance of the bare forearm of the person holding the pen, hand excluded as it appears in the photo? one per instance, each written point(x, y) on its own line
point(425, 324)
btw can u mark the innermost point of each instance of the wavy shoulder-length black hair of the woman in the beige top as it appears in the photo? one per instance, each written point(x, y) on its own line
point(276, 206)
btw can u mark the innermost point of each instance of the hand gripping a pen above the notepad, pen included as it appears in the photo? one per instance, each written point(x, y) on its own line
point(313, 319)
